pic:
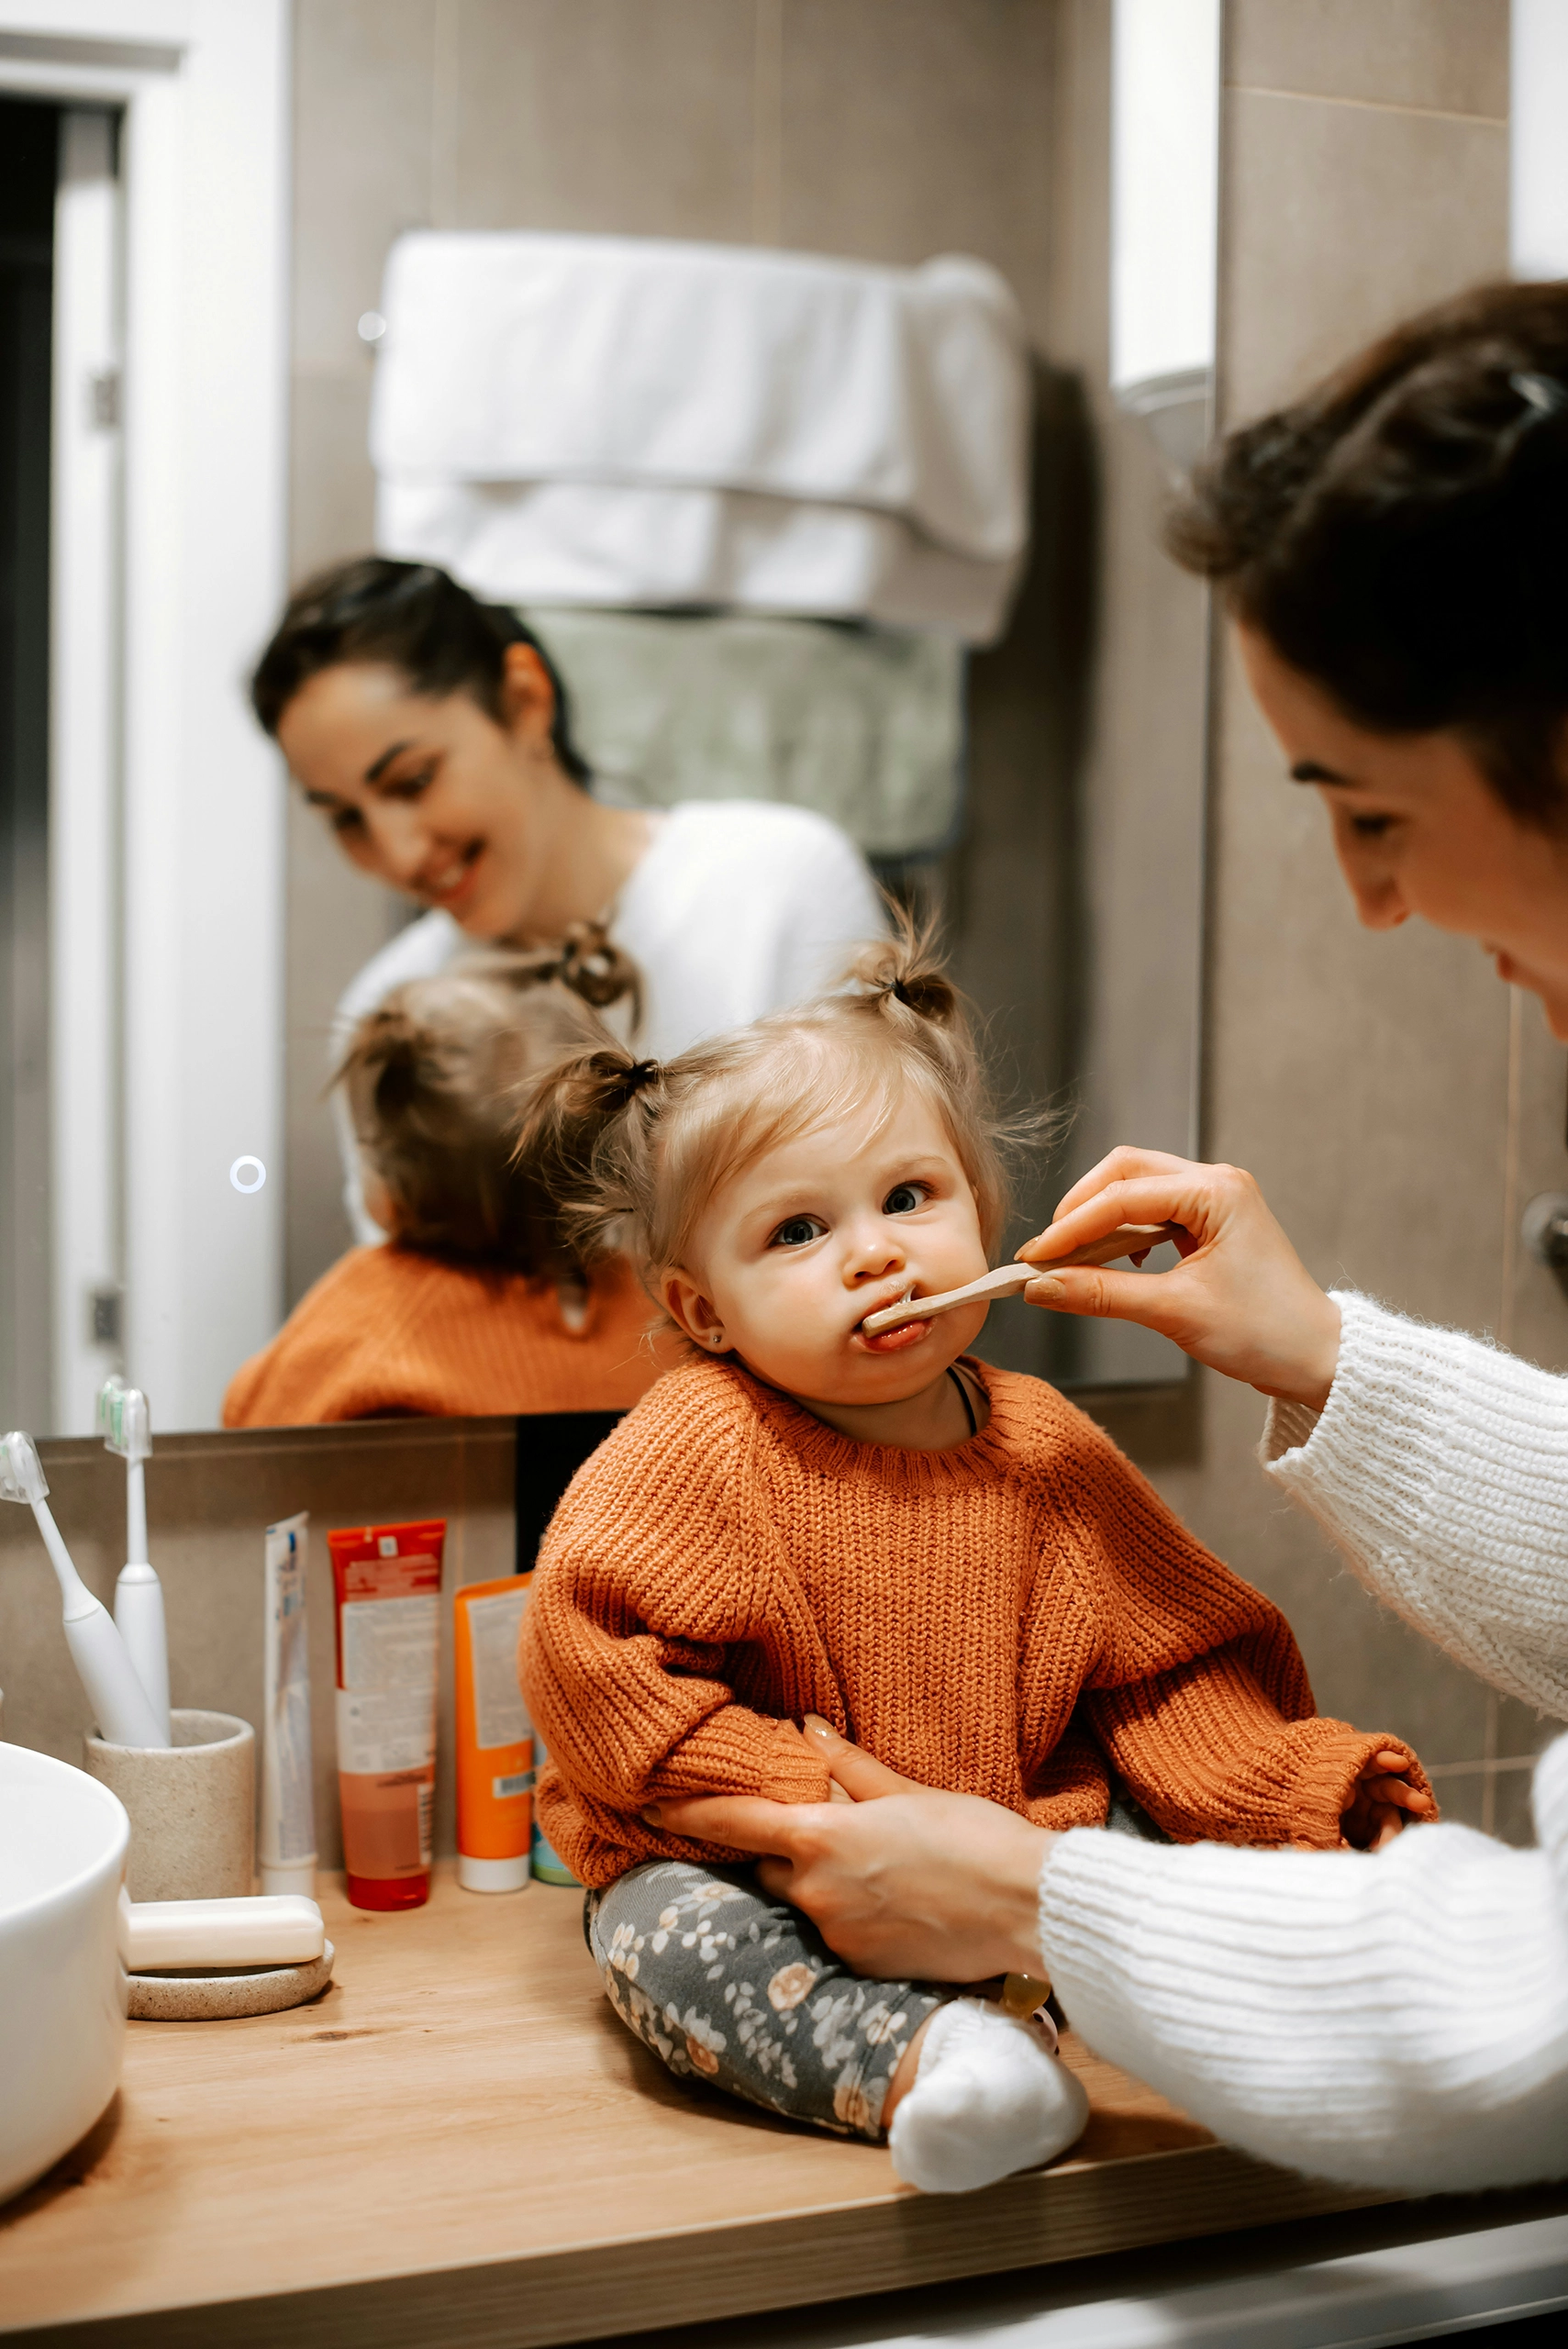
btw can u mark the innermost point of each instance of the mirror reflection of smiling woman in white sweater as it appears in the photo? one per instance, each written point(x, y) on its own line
point(433, 736)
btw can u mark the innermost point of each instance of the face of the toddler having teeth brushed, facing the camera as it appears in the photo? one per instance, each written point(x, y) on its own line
point(802, 1246)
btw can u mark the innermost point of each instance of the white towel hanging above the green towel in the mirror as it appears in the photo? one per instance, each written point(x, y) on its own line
point(626, 422)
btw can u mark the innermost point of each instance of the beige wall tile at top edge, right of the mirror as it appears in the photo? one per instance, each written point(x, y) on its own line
point(1447, 55)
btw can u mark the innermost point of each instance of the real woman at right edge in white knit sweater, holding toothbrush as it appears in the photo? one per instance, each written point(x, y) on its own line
point(1393, 558)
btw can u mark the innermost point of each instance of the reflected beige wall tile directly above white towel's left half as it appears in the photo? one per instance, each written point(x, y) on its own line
point(619, 116)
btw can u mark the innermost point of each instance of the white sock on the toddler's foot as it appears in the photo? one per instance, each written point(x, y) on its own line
point(989, 2099)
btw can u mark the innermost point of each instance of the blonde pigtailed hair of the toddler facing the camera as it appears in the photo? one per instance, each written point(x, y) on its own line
point(635, 1150)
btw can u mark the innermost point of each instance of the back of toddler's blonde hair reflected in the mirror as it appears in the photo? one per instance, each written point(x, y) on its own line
point(438, 1079)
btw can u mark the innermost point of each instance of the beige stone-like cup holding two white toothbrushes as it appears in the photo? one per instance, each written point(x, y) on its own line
point(191, 1808)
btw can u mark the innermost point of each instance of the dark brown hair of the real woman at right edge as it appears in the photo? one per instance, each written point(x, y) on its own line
point(1403, 534)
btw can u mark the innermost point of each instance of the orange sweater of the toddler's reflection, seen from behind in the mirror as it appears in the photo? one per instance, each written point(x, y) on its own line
point(388, 1333)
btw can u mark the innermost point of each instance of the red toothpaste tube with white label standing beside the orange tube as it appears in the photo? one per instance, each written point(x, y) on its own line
point(388, 1606)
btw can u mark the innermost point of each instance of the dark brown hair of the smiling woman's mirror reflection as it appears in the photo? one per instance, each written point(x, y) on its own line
point(414, 619)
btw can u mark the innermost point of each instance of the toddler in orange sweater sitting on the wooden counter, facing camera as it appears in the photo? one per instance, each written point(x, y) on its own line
point(945, 1561)
